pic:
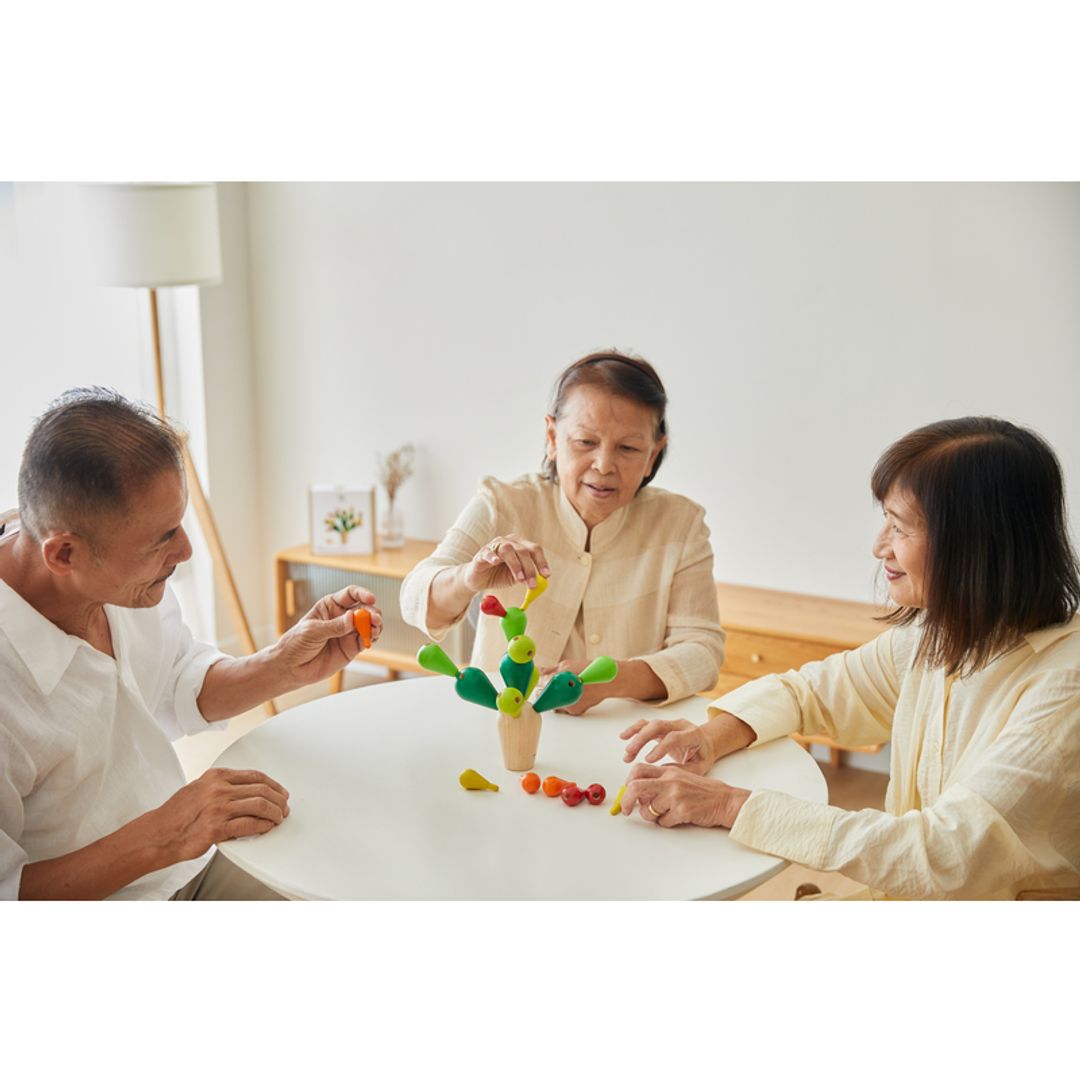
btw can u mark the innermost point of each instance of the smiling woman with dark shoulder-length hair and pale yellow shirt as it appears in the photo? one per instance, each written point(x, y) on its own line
point(977, 686)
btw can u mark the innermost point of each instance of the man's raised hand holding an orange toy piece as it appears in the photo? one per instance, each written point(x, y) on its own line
point(326, 640)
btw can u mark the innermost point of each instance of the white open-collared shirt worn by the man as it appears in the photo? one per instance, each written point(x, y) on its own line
point(86, 741)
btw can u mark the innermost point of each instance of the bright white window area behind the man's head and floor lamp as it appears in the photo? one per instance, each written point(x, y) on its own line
point(60, 330)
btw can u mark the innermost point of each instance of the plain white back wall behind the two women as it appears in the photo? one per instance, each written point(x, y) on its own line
point(800, 330)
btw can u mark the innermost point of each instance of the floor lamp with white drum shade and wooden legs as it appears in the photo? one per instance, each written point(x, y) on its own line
point(157, 236)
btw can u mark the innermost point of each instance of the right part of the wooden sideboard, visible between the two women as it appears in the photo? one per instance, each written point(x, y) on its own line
point(771, 632)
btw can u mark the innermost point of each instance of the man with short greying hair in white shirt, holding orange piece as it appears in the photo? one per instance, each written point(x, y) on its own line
point(100, 674)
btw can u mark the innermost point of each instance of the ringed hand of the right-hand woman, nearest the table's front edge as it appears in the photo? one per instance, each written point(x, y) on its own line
point(669, 795)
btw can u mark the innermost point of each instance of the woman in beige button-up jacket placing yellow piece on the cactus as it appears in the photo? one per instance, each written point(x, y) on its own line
point(631, 565)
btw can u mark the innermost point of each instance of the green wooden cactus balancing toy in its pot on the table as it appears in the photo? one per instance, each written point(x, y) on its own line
point(519, 719)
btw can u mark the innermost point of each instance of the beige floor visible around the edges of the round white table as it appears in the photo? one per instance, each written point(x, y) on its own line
point(848, 788)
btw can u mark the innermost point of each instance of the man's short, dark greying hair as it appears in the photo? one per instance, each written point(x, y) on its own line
point(88, 455)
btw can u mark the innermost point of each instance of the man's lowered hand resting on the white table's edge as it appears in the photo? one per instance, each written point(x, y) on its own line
point(221, 805)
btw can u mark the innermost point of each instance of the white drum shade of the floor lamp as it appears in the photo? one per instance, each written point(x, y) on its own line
point(155, 235)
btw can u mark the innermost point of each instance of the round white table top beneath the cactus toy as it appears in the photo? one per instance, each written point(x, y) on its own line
point(377, 812)
